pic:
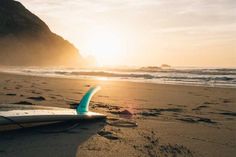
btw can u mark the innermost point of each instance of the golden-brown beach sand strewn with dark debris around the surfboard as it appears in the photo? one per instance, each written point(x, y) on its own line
point(144, 119)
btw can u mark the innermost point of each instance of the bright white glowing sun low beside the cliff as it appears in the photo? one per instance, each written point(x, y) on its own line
point(106, 46)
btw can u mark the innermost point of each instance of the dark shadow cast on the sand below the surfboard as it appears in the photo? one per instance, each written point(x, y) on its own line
point(59, 139)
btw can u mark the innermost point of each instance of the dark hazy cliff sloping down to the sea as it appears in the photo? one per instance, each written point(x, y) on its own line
point(26, 40)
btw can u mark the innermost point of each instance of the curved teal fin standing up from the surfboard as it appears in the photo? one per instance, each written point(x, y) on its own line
point(83, 106)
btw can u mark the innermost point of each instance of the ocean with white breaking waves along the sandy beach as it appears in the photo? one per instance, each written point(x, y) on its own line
point(211, 77)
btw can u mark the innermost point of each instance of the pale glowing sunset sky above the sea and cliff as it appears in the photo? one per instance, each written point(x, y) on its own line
point(145, 32)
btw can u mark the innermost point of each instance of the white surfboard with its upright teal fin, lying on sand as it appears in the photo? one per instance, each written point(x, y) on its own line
point(10, 113)
